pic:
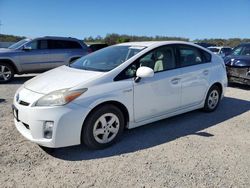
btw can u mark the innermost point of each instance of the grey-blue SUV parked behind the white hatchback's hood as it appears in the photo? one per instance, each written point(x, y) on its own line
point(38, 55)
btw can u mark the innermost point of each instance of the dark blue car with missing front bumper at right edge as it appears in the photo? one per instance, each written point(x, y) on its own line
point(238, 64)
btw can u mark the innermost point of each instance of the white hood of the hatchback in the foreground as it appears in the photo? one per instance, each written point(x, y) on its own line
point(60, 78)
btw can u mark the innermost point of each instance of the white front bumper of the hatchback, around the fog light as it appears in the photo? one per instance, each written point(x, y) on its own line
point(68, 121)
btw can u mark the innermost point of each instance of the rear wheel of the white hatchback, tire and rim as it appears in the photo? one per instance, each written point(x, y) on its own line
point(212, 99)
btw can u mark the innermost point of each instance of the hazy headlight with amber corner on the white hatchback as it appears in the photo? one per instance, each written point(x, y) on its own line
point(59, 97)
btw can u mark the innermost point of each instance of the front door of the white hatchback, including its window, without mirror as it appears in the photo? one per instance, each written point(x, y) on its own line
point(160, 94)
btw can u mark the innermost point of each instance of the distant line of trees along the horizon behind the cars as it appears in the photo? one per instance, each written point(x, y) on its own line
point(114, 38)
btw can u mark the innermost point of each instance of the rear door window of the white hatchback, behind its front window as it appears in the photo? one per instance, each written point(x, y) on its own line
point(189, 55)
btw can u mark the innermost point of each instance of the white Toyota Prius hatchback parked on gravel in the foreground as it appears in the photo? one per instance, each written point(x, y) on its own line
point(121, 86)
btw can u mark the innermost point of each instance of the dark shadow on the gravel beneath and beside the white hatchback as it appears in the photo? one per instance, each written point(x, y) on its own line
point(157, 133)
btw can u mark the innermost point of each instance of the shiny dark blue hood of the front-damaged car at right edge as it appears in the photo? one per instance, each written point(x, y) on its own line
point(237, 61)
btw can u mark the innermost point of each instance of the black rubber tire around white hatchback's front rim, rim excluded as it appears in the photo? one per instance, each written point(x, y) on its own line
point(87, 136)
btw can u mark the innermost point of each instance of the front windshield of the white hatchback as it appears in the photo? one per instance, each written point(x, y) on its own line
point(107, 58)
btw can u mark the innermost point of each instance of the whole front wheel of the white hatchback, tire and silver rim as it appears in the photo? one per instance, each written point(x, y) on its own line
point(103, 127)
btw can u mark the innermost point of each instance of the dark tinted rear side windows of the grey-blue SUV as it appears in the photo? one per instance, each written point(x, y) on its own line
point(61, 44)
